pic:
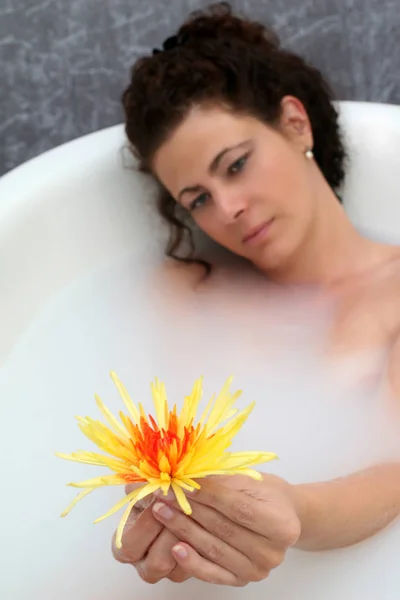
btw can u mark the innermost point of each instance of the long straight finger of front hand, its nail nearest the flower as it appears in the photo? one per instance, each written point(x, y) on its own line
point(207, 545)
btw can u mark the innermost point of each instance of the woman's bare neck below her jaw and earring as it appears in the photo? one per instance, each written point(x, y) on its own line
point(333, 250)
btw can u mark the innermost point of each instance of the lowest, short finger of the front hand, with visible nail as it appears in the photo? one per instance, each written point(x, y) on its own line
point(201, 568)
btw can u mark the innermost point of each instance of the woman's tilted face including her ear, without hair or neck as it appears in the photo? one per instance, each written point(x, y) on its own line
point(248, 186)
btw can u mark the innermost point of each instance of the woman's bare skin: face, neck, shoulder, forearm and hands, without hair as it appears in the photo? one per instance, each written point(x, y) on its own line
point(240, 529)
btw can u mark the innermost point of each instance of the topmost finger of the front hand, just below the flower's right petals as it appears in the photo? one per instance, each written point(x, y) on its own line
point(273, 519)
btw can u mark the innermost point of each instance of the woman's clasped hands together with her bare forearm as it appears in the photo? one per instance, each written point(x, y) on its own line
point(240, 529)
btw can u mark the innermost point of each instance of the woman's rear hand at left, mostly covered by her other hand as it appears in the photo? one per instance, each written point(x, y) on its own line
point(147, 545)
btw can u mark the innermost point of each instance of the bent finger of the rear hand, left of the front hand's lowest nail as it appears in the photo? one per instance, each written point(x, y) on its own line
point(159, 561)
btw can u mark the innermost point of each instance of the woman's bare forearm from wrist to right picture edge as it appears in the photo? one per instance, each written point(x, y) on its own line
point(348, 510)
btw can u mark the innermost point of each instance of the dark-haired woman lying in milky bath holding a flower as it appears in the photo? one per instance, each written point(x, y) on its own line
point(243, 137)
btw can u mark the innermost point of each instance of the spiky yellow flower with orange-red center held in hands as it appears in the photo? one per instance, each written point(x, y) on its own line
point(170, 451)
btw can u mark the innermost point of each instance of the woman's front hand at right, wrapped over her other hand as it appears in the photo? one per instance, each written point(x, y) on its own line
point(239, 530)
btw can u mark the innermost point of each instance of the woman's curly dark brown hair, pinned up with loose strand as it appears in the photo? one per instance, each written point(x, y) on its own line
point(218, 57)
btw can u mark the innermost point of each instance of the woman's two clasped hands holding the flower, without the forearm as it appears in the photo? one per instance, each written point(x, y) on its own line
point(213, 542)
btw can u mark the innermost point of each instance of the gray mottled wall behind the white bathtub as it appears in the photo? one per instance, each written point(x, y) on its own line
point(63, 63)
